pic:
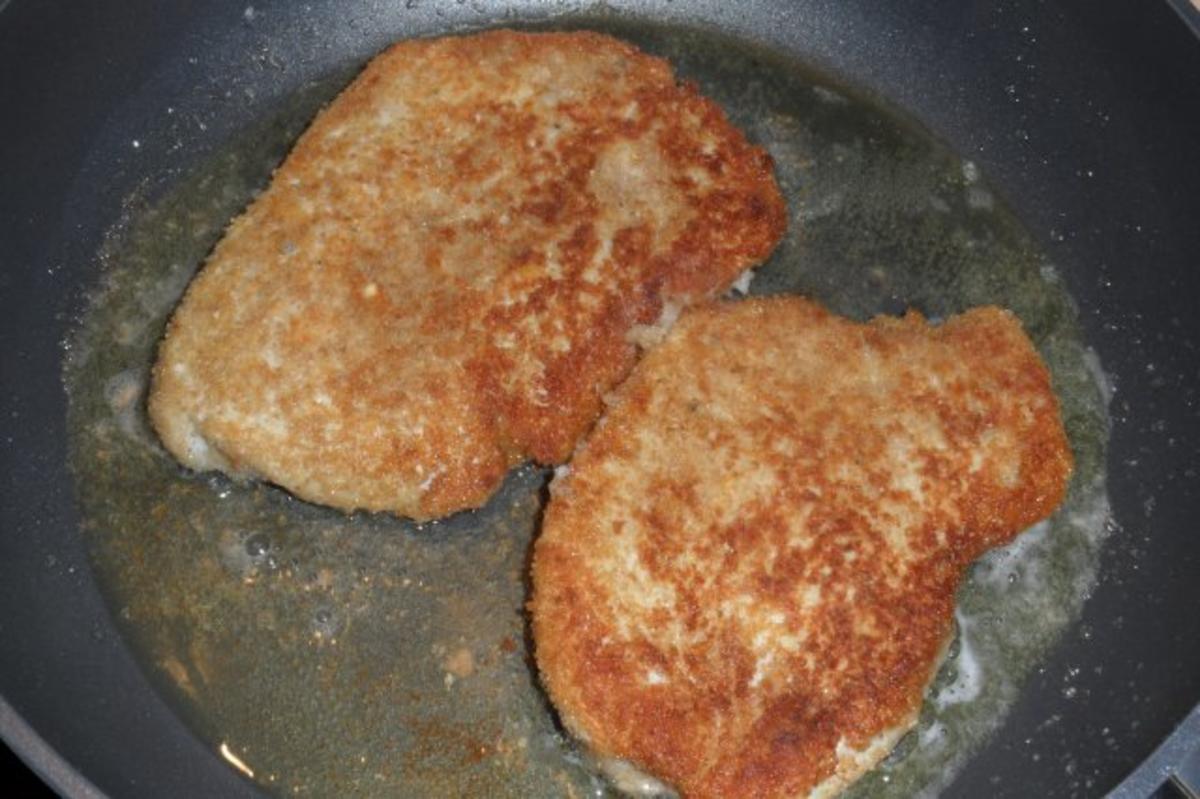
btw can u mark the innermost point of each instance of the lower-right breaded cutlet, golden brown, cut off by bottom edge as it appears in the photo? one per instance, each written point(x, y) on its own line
point(749, 572)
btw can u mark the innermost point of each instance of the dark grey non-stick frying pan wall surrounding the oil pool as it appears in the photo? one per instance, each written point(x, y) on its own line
point(1084, 116)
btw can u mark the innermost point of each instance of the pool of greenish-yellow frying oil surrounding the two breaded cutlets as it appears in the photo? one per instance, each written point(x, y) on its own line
point(364, 656)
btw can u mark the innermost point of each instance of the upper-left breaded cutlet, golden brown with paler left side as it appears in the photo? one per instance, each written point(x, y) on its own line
point(441, 278)
